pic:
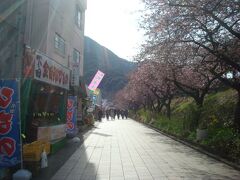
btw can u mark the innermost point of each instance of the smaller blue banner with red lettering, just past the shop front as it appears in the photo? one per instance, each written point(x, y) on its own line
point(71, 114)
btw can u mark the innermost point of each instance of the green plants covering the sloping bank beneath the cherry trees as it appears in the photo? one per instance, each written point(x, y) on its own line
point(216, 115)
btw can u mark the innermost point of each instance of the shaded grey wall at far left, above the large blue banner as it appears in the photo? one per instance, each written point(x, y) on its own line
point(12, 21)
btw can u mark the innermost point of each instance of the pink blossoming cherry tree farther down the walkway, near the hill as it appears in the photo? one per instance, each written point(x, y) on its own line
point(149, 86)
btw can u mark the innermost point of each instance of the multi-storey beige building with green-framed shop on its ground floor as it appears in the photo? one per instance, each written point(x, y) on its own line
point(53, 65)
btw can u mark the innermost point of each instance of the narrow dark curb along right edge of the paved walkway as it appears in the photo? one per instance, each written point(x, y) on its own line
point(199, 149)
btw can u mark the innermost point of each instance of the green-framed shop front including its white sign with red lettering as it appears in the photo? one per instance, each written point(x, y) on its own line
point(44, 98)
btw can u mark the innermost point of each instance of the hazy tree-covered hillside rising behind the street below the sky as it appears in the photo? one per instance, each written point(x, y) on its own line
point(116, 69)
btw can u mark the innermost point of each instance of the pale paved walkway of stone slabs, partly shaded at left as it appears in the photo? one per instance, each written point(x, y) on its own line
point(125, 149)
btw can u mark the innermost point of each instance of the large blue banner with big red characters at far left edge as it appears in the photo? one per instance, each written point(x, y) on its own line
point(10, 146)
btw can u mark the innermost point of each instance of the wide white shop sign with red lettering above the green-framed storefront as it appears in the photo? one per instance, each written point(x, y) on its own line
point(49, 71)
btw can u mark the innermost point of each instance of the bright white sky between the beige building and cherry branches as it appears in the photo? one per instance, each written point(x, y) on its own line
point(114, 24)
